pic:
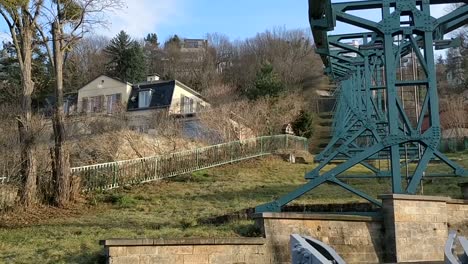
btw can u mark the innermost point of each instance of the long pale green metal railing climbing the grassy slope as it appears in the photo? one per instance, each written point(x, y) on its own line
point(112, 175)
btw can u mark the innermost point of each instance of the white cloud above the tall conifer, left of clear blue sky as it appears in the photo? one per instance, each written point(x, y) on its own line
point(140, 17)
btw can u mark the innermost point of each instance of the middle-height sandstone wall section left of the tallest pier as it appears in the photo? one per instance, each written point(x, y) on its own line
point(357, 239)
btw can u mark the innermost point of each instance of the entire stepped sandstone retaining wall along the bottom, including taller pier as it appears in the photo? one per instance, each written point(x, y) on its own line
point(412, 229)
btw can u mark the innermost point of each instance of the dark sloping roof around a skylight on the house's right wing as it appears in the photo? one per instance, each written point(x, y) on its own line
point(161, 96)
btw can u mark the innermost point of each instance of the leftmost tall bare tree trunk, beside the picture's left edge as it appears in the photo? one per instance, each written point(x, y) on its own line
point(28, 193)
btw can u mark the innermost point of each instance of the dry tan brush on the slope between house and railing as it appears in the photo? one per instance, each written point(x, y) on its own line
point(107, 139)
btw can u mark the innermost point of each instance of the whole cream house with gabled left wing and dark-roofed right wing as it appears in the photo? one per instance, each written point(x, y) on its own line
point(140, 102)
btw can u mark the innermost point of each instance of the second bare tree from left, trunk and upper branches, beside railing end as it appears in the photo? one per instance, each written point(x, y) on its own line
point(68, 21)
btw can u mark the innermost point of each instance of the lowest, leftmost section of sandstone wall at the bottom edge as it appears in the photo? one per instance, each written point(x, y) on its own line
point(187, 251)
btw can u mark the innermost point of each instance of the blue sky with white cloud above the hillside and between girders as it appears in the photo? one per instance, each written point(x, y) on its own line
point(237, 19)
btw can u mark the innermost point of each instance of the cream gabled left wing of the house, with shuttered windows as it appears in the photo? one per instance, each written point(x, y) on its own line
point(103, 95)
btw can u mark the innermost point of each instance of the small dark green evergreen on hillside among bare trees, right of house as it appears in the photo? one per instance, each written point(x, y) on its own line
point(267, 83)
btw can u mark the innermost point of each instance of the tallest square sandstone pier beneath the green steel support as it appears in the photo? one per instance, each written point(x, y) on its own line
point(415, 227)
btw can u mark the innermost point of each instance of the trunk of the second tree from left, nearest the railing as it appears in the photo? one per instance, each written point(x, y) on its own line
point(61, 162)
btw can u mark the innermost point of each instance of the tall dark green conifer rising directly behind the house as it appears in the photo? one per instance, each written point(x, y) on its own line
point(127, 59)
